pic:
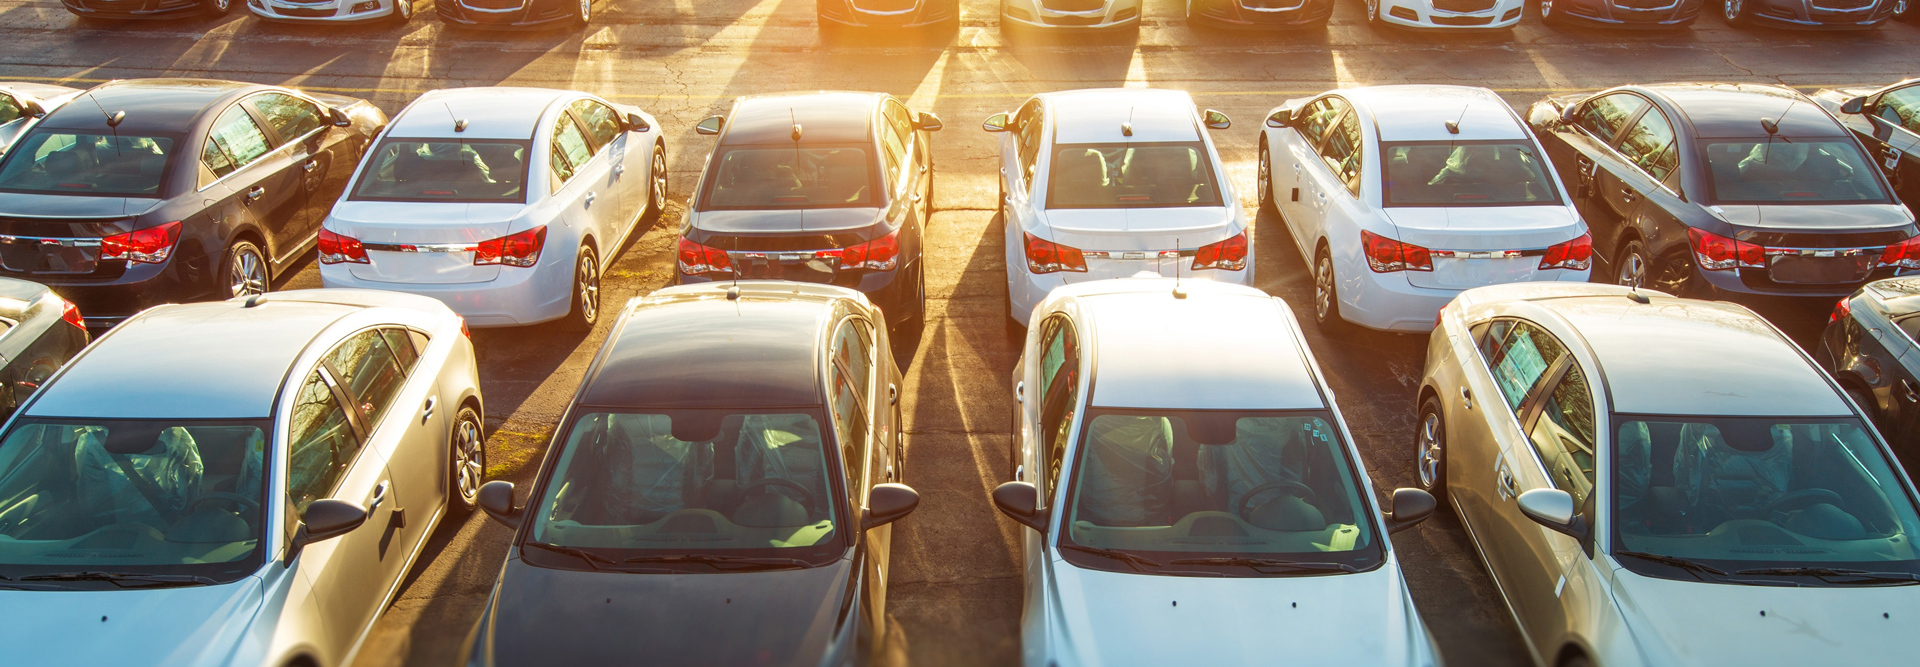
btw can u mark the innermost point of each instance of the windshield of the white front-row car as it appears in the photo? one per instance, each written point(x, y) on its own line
point(1193, 491)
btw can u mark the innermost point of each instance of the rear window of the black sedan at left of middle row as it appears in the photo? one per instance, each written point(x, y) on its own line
point(66, 162)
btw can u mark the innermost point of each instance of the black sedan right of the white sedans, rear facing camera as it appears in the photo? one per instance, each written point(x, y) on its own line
point(1725, 191)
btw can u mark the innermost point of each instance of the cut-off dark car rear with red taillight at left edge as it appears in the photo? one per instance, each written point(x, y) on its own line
point(39, 333)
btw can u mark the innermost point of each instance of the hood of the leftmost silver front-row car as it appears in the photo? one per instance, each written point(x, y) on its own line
point(191, 626)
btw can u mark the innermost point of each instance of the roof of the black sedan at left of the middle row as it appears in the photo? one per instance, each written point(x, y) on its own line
point(153, 105)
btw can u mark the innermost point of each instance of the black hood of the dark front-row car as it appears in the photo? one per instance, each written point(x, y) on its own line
point(777, 618)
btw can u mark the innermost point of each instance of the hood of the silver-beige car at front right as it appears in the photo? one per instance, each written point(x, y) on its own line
point(1704, 624)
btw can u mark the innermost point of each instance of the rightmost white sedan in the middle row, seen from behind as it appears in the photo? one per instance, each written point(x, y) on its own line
point(1403, 197)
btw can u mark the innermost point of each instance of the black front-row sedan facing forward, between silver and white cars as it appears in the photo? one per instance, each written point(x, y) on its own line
point(719, 493)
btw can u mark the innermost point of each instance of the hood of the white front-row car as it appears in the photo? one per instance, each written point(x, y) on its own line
point(1143, 620)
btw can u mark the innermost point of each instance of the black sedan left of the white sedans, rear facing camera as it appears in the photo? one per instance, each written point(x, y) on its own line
point(158, 191)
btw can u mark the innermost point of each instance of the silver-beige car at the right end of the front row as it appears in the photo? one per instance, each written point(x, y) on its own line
point(1666, 482)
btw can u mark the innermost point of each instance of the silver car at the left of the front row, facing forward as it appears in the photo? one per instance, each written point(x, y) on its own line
point(235, 483)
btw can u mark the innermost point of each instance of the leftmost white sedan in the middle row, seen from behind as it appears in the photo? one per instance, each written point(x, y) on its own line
point(502, 203)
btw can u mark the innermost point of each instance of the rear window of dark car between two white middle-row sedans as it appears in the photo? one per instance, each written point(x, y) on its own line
point(771, 178)
